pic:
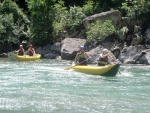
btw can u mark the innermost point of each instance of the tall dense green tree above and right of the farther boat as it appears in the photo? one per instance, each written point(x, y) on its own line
point(41, 16)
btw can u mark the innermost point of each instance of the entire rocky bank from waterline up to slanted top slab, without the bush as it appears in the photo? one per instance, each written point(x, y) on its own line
point(129, 46)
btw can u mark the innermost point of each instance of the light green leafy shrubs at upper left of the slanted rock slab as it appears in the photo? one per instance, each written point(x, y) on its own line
point(70, 19)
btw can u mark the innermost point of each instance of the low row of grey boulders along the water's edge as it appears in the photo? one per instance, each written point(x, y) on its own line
point(68, 48)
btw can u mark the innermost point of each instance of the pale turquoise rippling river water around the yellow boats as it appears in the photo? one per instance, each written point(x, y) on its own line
point(45, 87)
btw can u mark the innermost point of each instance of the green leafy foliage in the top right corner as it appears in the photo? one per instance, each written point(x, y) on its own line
point(136, 9)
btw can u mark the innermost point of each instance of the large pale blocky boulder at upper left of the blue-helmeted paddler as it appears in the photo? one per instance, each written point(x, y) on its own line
point(70, 47)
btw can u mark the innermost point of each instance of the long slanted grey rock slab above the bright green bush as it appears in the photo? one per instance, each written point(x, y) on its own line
point(115, 16)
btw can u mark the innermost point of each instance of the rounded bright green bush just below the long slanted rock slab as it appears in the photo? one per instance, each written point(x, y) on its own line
point(99, 30)
